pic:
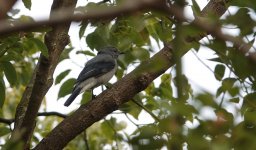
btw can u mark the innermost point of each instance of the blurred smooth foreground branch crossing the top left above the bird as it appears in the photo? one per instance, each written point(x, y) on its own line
point(63, 15)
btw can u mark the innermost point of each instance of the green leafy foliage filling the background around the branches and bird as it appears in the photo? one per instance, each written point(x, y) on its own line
point(178, 121)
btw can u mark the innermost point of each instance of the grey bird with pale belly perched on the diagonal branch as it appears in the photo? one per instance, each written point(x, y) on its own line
point(96, 72)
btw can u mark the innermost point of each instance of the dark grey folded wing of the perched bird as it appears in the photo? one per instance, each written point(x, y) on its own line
point(95, 70)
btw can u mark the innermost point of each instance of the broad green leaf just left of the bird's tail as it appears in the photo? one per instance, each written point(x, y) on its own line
point(66, 87)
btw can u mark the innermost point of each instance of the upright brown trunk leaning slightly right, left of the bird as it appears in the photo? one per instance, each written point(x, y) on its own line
point(42, 79)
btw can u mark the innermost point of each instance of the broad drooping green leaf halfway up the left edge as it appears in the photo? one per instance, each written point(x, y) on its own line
point(9, 72)
